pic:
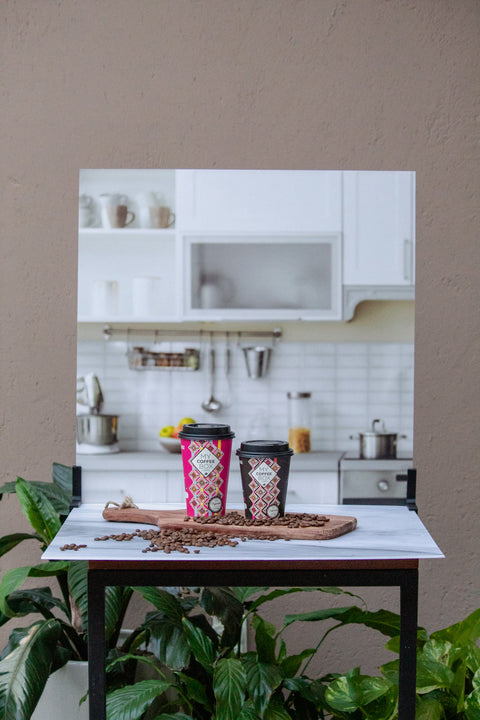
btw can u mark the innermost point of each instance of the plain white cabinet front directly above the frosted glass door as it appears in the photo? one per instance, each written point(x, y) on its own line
point(259, 200)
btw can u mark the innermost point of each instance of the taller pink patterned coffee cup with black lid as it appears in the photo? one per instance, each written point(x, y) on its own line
point(206, 451)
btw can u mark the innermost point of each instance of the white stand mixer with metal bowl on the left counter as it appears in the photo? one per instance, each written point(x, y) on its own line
point(96, 432)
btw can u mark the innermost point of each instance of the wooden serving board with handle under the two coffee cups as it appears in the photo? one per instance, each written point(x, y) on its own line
point(175, 520)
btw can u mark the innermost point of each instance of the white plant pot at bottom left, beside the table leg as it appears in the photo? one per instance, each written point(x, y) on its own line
point(63, 692)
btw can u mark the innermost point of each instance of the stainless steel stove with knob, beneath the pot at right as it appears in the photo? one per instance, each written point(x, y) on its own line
point(374, 481)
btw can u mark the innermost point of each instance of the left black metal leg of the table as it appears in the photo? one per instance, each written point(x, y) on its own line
point(96, 645)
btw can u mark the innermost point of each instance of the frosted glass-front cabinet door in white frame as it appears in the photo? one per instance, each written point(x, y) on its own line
point(262, 276)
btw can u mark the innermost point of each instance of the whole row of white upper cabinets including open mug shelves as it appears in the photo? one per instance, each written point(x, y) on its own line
point(173, 245)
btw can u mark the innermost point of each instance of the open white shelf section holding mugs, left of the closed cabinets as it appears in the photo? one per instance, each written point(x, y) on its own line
point(127, 274)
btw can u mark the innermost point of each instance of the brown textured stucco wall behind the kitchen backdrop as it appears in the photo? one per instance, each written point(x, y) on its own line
point(325, 84)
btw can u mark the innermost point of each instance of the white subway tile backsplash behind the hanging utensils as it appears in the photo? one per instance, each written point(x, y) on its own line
point(351, 384)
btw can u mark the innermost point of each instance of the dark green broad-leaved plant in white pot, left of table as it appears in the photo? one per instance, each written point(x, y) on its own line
point(58, 634)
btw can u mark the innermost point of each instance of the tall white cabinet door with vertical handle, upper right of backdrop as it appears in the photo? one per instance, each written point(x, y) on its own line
point(379, 228)
